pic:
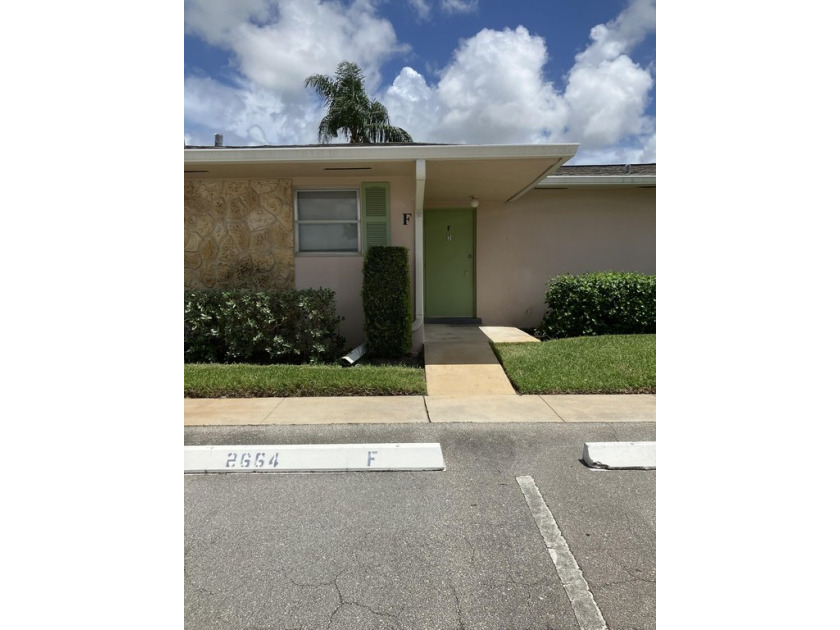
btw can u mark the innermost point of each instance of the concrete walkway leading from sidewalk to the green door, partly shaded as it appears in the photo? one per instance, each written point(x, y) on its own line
point(460, 361)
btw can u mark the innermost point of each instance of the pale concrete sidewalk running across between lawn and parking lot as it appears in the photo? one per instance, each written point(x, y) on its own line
point(419, 409)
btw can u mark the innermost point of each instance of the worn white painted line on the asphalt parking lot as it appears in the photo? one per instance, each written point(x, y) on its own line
point(583, 603)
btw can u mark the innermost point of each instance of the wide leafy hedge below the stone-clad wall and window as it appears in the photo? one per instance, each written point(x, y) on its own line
point(248, 326)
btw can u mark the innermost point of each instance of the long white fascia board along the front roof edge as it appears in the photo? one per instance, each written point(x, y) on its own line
point(366, 153)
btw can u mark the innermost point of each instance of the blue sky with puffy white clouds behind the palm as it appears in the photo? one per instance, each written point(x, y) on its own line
point(448, 71)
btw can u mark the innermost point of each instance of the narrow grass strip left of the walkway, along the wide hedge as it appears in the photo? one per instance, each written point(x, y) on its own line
point(260, 381)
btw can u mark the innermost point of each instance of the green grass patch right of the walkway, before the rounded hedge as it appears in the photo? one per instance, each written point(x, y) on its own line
point(610, 364)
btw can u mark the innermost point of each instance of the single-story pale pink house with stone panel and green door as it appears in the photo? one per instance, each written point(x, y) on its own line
point(485, 225)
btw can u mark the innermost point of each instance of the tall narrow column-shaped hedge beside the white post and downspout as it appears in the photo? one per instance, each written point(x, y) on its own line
point(386, 298)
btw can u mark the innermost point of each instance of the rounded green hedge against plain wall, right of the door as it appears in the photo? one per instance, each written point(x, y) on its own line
point(603, 303)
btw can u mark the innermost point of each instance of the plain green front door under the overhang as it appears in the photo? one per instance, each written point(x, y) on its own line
point(449, 262)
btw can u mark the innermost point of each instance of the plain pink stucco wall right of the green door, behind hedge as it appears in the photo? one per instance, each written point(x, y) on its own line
point(549, 232)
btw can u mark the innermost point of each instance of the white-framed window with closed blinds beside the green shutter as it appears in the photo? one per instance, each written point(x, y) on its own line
point(327, 221)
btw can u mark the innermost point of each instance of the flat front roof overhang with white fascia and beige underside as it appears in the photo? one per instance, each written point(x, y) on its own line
point(454, 173)
